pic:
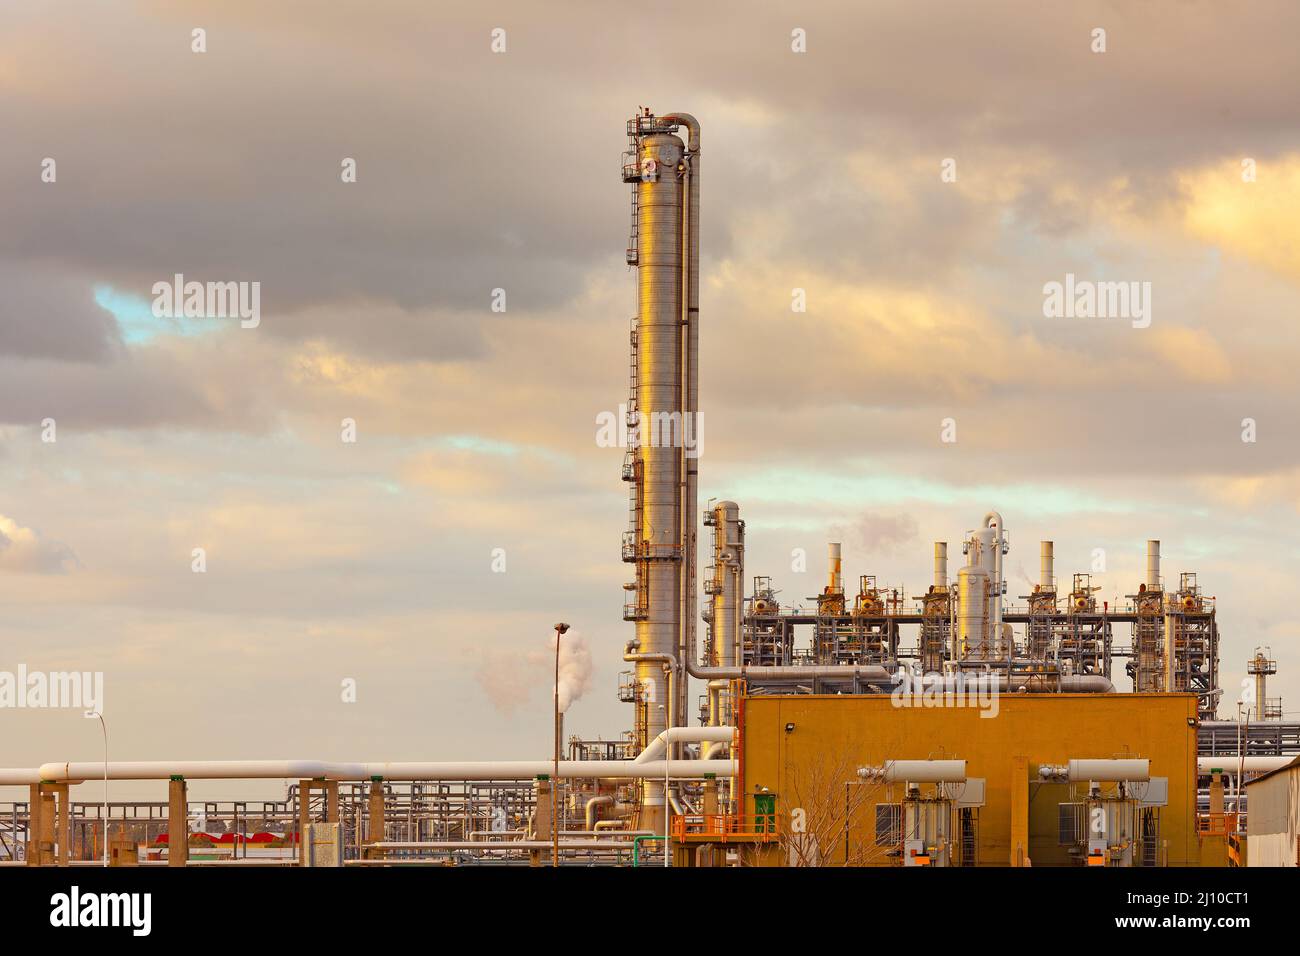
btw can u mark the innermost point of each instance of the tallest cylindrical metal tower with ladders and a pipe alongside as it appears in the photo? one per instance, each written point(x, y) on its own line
point(665, 248)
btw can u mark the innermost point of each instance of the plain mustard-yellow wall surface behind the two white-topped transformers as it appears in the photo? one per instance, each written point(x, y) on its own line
point(834, 736)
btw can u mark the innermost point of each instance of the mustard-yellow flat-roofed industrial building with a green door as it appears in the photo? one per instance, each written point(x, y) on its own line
point(807, 751)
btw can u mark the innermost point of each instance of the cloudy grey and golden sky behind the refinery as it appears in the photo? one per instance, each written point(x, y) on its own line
point(1173, 158)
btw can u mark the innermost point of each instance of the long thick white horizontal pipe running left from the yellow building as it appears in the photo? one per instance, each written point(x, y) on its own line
point(305, 769)
